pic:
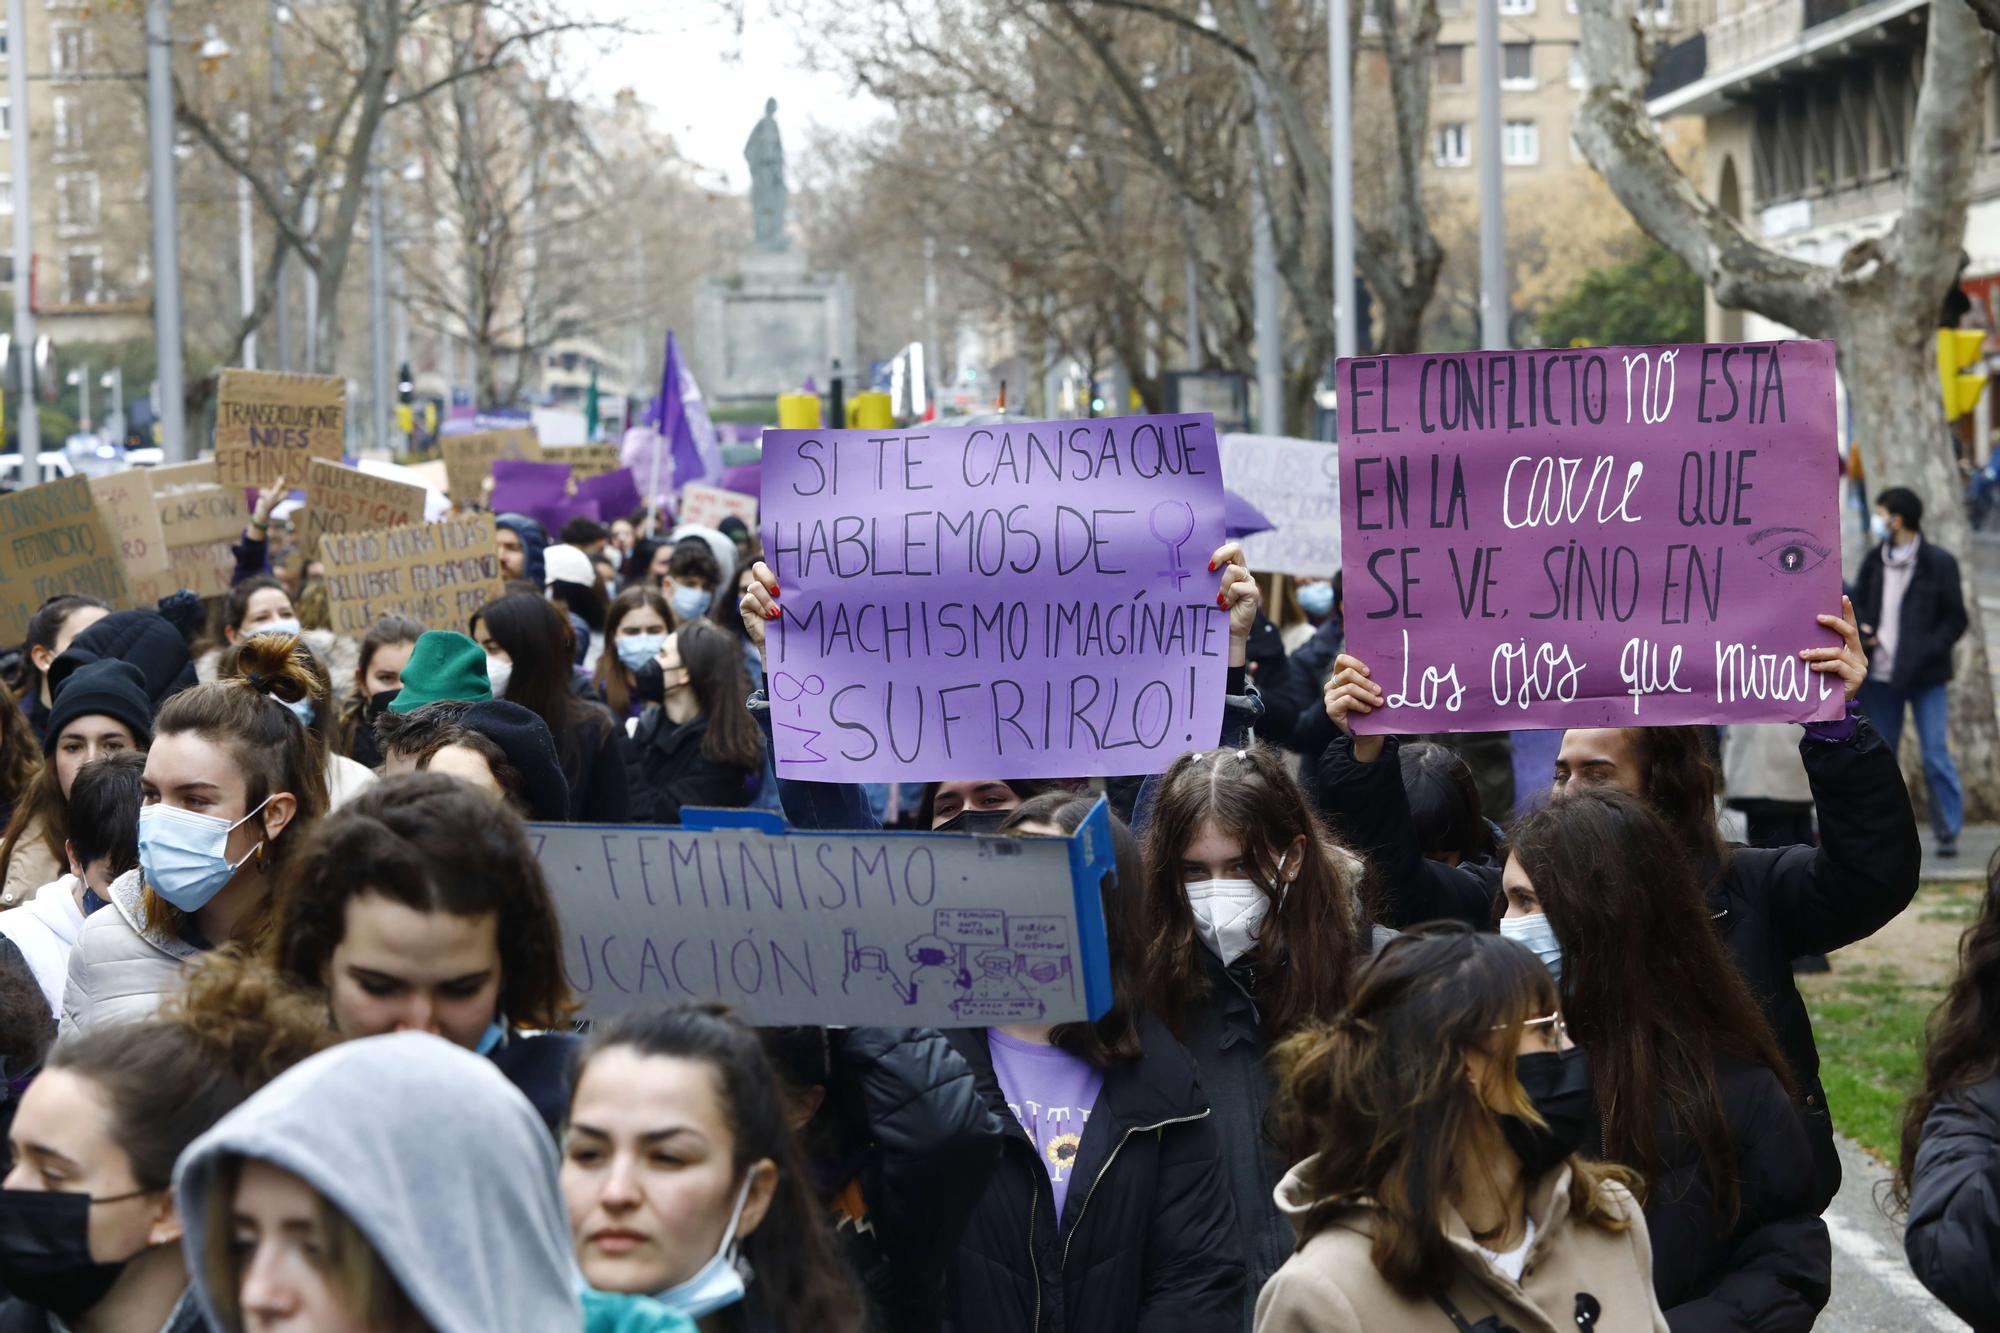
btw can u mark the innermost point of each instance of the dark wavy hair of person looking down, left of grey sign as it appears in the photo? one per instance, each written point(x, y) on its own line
point(435, 846)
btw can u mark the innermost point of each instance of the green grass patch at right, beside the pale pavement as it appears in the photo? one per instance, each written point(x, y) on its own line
point(1871, 1032)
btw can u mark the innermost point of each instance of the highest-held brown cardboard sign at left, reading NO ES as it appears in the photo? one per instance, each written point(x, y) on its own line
point(271, 423)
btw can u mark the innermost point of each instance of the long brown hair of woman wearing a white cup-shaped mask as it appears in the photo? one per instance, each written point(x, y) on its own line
point(1311, 940)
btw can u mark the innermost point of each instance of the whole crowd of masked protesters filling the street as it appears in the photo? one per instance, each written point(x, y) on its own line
point(287, 1040)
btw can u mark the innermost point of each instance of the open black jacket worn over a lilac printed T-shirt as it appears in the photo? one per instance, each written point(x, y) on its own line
point(1147, 1242)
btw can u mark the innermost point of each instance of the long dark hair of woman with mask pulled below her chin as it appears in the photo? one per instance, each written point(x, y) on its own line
point(799, 1278)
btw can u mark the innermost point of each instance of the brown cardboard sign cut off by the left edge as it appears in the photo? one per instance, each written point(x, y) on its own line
point(55, 541)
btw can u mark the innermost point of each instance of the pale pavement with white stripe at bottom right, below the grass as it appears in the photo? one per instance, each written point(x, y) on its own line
point(1873, 1284)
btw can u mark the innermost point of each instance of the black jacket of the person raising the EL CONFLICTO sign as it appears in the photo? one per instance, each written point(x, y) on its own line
point(1771, 906)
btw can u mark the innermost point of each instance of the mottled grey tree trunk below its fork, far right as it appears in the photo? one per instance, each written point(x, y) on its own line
point(1899, 425)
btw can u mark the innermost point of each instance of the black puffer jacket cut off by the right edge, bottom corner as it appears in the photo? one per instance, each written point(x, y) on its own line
point(1955, 1204)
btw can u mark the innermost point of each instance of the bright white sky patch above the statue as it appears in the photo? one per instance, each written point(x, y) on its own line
point(709, 83)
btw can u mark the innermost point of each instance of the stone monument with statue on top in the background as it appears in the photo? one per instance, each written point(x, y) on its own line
point(773, 323)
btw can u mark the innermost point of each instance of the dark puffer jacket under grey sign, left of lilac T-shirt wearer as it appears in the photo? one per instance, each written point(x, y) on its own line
point(911, 1160)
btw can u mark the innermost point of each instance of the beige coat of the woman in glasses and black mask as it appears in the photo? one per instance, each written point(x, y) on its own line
point(1331, 1286)
